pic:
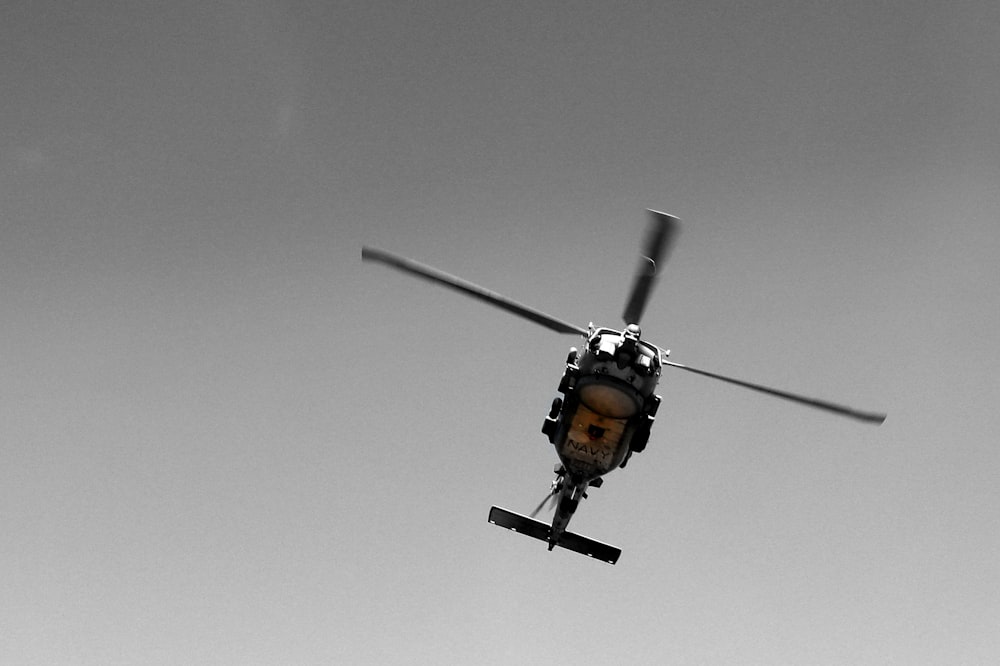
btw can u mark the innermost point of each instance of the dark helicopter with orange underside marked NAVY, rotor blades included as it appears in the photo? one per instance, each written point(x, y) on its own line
point(607, 403)
